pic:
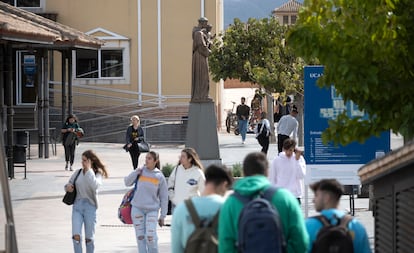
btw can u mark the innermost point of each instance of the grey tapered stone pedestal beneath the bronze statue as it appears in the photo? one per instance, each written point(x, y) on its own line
point(202, 132)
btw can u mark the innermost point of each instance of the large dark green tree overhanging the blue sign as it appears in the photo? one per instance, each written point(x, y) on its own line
point(368, 54)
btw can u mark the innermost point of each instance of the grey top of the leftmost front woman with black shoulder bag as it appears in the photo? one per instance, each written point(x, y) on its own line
point(87, 185)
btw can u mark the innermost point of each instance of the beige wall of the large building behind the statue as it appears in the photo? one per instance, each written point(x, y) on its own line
point(177, 20)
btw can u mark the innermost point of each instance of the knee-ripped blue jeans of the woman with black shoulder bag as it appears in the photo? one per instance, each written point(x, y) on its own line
point(83, 212)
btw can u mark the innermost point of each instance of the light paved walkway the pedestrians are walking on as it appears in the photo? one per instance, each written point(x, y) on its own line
point(43, 222)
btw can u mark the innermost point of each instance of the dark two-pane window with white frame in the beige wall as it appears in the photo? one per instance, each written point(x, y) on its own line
point(103, 63)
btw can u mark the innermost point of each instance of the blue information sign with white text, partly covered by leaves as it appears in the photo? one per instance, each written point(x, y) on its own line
point(329, 161)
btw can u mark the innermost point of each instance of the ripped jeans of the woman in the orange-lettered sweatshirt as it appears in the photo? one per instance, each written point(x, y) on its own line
point(145, 224)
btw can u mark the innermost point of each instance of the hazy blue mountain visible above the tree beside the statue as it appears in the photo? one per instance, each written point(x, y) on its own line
point(245, 9)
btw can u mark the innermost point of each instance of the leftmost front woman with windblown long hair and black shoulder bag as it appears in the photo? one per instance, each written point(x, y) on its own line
point(89, 178)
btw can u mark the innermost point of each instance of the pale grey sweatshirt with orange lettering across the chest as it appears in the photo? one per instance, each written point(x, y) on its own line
point(151, 193)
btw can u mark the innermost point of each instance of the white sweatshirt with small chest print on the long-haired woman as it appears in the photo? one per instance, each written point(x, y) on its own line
point(186, 183)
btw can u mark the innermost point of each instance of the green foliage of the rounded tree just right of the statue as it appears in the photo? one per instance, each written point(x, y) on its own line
point(255, 52)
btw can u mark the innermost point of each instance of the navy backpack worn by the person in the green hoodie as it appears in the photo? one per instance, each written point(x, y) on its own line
point(260, 228)
